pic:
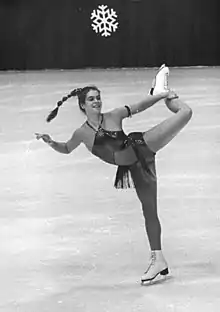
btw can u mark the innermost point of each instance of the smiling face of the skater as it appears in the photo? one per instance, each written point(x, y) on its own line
point(93, 102)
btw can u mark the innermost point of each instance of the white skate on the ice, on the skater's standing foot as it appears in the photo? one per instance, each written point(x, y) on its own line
point(157, 266)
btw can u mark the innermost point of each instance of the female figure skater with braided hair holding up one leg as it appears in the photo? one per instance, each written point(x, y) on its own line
point(134, 154)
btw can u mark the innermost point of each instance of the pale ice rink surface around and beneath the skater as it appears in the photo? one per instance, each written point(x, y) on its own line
point(68, 240)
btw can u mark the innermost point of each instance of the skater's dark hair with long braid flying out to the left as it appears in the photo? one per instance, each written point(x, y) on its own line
point(80, 93)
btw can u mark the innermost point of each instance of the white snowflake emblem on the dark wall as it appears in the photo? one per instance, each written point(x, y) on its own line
point(104, 20)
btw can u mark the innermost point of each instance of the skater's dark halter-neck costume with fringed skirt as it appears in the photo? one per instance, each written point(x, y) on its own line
point(129, 152)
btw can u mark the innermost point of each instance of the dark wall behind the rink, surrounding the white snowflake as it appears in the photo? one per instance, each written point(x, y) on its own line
point(57, 34)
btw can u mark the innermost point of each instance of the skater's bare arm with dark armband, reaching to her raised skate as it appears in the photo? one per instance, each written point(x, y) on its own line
point(149, 101)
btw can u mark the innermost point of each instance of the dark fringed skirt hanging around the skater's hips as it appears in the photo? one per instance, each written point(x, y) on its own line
point(142, 173)
